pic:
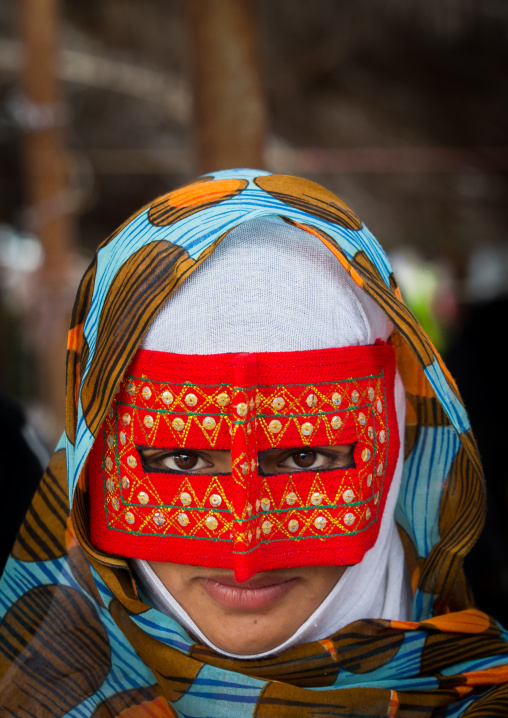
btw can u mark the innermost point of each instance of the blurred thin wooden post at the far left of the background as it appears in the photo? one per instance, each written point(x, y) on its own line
point(46, 170)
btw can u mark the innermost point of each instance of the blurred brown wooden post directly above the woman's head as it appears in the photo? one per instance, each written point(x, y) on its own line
point(230, 113)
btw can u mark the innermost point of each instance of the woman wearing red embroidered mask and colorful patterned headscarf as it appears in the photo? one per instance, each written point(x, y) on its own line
point(233, 453)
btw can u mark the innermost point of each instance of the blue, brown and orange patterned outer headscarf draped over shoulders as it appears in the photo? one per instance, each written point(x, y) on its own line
point(76, 640)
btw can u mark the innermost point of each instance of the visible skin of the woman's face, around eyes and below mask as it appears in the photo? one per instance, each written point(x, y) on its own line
point(259, 614)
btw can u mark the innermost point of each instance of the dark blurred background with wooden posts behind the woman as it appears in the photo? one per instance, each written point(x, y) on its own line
point(398, 106)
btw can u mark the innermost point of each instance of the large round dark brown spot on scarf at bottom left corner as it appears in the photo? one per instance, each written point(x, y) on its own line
point(55, 650)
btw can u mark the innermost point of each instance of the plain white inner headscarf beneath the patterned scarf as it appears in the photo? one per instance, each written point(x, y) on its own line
point(270, 286)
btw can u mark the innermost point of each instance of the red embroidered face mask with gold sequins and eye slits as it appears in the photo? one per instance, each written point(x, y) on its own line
point(247, 404)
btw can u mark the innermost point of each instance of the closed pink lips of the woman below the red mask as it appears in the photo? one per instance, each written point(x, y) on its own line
point(259, 593)
